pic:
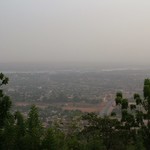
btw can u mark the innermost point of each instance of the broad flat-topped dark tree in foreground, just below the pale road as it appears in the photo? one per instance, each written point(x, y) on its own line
point(104, 130)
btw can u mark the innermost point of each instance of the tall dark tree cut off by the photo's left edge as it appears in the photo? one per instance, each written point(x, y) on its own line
point(7, 133)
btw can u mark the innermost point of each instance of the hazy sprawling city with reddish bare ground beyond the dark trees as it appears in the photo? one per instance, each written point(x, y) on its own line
point(64, 94)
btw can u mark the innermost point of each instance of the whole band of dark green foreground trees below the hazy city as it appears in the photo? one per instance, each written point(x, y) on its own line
point(130, 132)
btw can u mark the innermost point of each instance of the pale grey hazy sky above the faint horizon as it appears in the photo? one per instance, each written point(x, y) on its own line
point(74, 30)
